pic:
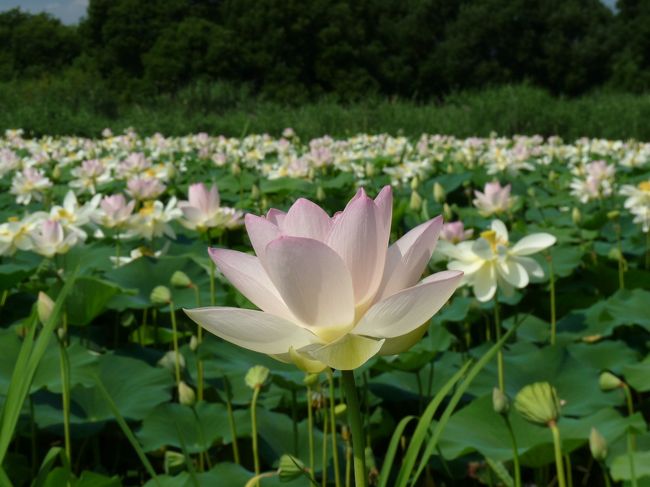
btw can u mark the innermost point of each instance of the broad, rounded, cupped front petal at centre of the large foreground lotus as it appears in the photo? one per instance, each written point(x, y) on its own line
point(312, 280)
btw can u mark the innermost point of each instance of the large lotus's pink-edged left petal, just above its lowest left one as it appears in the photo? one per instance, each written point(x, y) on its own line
point(246, 273)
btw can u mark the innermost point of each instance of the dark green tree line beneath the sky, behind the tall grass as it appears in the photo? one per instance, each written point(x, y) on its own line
point(297, 50)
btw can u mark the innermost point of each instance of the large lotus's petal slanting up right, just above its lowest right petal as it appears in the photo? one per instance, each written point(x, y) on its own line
point(408, 257)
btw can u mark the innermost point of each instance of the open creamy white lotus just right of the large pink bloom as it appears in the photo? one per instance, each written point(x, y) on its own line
point(491, 262)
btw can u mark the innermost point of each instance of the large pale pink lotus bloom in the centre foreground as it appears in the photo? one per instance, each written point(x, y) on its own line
point(330, 289)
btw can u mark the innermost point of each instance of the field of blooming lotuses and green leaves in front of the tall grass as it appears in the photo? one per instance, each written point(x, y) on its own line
point(369, 311)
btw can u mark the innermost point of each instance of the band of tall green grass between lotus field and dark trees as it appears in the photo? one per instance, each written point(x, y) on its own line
point(82, 107)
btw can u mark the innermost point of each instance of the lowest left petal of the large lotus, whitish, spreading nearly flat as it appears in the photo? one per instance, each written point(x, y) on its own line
point(255, 330)
